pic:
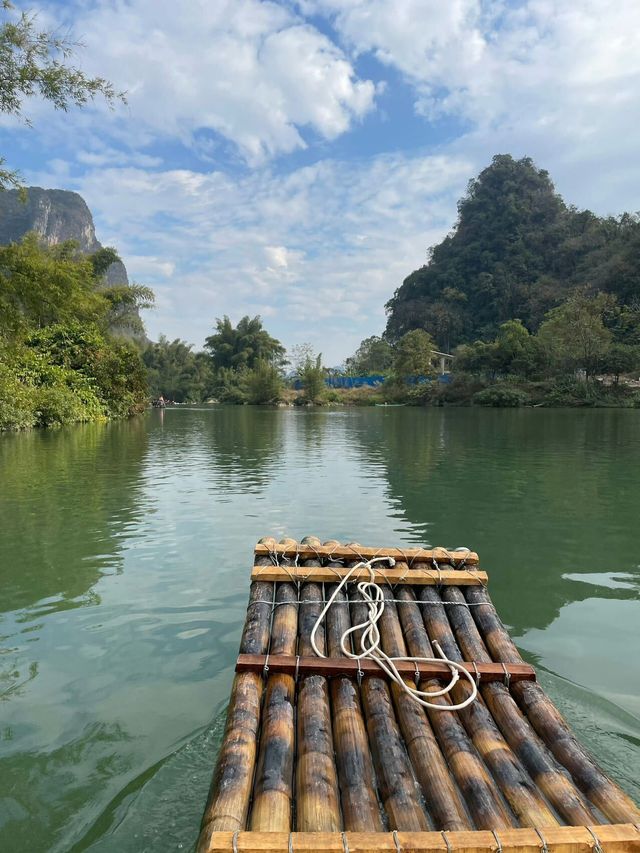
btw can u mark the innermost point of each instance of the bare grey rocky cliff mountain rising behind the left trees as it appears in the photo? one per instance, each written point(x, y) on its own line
point(56, 216)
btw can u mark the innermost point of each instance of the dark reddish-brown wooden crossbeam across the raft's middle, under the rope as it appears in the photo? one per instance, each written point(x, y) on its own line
point(312, 665)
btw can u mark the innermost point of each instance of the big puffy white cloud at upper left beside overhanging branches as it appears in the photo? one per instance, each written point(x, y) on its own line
point(252, 71)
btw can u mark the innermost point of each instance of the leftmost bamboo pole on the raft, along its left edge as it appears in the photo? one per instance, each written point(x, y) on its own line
point(228, 801)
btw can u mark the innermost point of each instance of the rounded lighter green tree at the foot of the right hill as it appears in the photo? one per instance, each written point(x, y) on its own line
point(574, 335)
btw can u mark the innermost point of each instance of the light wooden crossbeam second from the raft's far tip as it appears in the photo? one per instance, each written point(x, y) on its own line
point(398, 574)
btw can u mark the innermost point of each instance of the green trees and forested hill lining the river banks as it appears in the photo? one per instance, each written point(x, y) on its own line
point(531, 302)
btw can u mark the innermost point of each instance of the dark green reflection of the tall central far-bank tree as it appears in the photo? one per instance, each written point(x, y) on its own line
point(246, 443)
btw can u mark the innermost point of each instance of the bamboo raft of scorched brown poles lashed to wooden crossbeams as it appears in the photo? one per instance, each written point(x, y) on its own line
point(328, 754)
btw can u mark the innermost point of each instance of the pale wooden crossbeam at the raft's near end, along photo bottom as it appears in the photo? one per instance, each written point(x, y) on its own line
point(612, 838)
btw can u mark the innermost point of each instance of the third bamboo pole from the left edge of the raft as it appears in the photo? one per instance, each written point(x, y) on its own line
point(317, 796)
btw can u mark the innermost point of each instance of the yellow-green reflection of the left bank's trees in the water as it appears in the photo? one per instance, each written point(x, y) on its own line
point(68, 492)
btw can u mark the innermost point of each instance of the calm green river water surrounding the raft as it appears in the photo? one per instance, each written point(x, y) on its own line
point(125, 551)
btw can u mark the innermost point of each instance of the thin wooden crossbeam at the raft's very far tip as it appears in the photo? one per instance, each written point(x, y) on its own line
point(358, 552)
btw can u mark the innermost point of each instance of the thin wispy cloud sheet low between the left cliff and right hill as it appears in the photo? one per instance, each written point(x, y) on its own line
point(317, 251)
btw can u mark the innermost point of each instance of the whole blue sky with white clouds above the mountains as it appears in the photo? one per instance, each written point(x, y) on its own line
point(297, 159)
